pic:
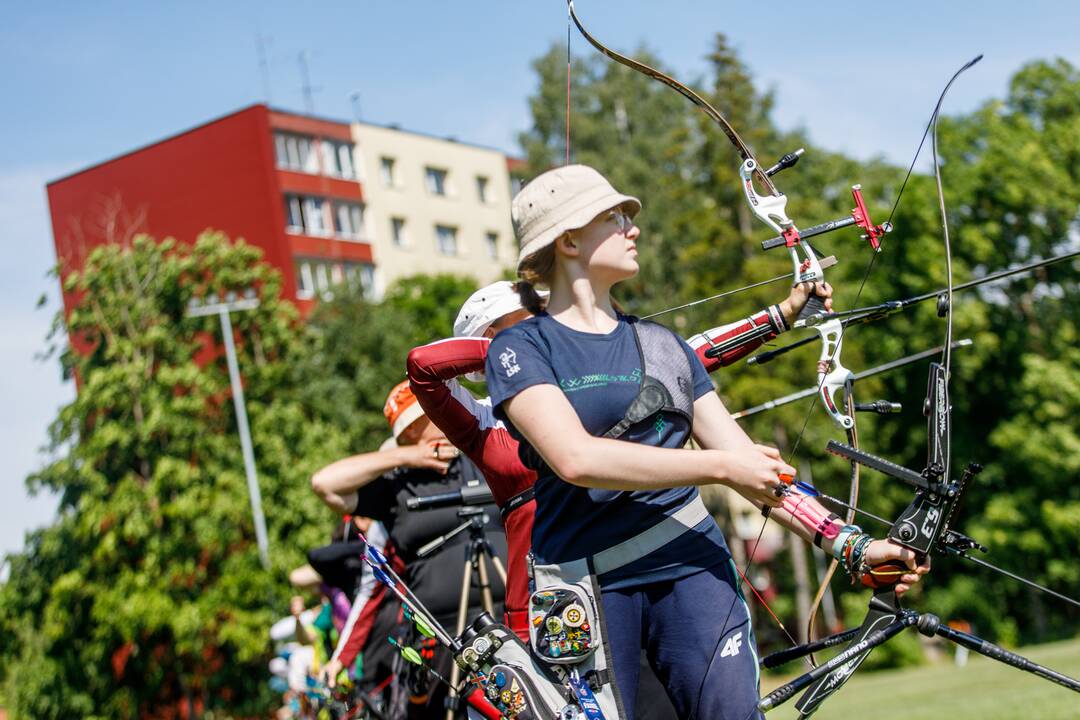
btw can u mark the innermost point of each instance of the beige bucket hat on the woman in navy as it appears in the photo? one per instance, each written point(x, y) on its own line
point(563, 199)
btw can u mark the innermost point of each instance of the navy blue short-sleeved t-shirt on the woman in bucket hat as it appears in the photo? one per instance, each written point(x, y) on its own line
point(601, 375)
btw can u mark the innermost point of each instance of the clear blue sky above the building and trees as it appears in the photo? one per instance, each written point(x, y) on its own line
point(87, 81)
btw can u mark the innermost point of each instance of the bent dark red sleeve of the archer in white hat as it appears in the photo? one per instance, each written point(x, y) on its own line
point(431, 369)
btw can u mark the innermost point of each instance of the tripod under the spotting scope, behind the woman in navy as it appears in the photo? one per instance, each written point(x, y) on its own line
point(478, 549)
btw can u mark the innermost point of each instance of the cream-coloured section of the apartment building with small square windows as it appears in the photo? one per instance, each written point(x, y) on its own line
point(434, 206)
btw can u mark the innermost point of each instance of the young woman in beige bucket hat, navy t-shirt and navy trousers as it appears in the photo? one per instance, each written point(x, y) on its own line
point(566, 381)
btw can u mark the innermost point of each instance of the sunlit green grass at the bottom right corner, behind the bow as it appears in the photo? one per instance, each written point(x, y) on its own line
point(983, 690)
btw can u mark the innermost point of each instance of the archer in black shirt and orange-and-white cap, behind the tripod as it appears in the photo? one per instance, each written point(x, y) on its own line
point(420, 463)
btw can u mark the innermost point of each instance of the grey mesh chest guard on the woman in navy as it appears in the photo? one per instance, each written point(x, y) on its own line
point(667, 378)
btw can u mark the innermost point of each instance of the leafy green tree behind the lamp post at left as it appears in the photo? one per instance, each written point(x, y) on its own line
point(147, 596)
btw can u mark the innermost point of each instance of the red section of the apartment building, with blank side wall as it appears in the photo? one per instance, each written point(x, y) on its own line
point(285, 183)
